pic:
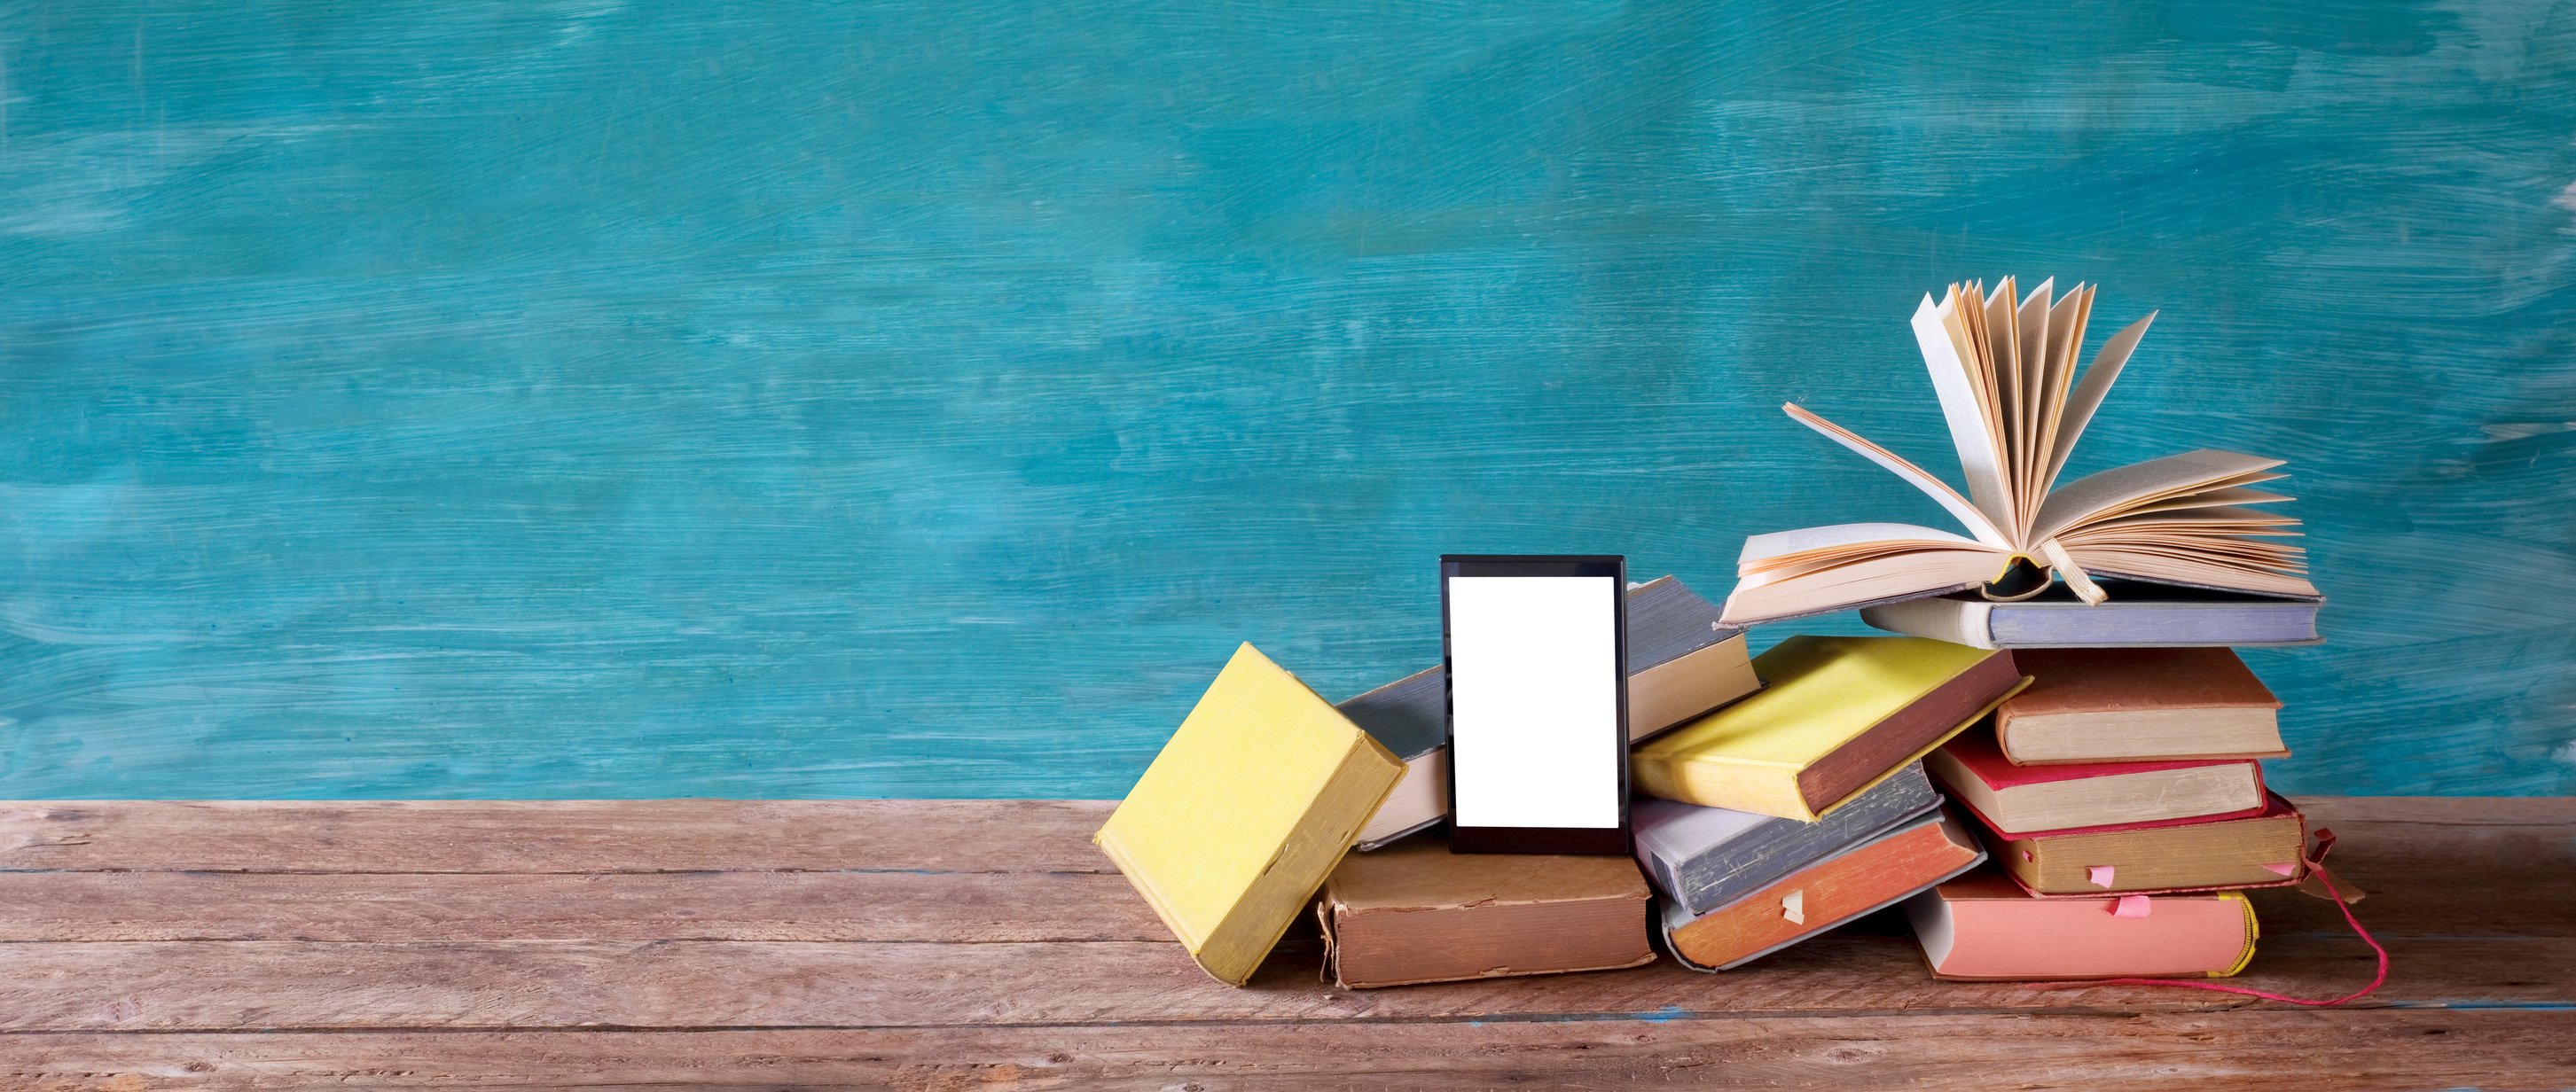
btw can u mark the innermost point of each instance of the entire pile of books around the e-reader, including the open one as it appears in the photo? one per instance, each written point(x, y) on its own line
point(2057, 766)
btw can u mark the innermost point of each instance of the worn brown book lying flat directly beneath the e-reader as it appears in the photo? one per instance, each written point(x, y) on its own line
point(1418, 913)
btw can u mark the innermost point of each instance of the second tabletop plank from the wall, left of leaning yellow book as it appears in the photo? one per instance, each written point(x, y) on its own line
point(395, 908)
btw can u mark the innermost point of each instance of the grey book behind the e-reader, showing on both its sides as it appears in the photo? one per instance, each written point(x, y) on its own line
point(1681, 666)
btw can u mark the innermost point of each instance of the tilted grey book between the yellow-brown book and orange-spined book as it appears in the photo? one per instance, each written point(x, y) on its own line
point(1707, 859)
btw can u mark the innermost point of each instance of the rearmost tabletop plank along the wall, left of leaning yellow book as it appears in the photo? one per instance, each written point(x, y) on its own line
point(550, 836)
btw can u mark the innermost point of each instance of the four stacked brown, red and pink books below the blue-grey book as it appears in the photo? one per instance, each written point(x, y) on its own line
point(2124, 807)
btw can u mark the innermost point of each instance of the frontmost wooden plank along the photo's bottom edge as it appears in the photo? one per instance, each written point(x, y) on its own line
point(2260, 1050)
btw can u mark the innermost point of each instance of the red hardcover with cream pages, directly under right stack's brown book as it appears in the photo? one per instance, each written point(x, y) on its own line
point(2090, 797)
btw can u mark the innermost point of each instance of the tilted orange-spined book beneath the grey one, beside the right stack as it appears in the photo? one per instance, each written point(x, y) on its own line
point(1869, 877)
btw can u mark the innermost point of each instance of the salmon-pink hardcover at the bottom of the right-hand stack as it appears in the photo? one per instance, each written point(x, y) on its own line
point(1987, 928)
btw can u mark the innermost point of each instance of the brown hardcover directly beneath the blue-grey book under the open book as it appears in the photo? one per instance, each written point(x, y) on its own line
point(2137, 704)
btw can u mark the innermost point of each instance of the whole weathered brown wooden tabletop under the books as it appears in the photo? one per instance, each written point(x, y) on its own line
point(988, 946)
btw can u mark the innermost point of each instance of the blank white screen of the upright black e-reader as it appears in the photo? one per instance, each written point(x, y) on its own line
point(1534, 702)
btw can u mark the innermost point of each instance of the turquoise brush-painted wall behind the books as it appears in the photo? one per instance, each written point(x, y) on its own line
point(926, 398)
